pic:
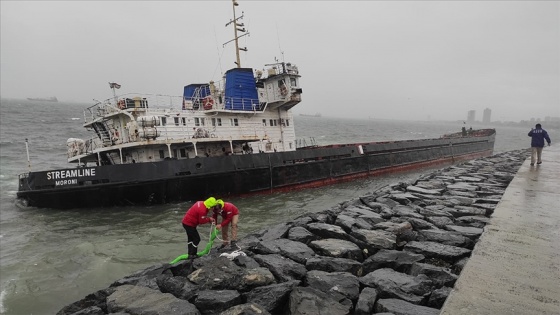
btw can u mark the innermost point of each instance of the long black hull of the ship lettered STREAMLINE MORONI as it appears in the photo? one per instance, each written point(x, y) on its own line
point(194, 179)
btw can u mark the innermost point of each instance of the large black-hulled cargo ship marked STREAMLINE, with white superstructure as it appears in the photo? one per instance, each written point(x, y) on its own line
point(226, 138)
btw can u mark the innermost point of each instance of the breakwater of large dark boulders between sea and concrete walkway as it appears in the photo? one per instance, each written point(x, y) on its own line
point(397, 250)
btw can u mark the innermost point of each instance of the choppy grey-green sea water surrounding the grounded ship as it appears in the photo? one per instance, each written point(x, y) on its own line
point(50, 258)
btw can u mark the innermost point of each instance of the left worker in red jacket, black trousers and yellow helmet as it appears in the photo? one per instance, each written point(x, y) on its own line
point(199, 213)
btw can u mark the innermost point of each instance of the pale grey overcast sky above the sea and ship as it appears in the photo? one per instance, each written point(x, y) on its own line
point(413, 60)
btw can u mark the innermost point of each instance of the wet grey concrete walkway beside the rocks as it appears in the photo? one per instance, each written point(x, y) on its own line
point(515, 266)
